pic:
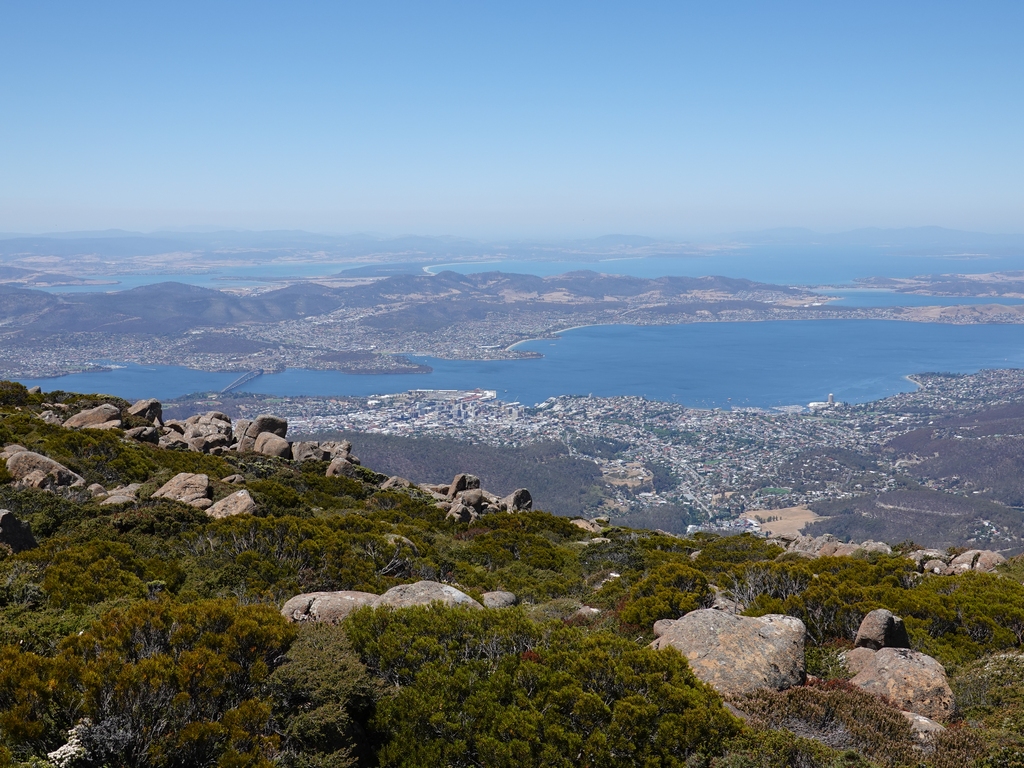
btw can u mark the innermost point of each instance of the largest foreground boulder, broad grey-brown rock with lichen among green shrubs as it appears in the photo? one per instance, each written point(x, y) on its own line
point(739, 655)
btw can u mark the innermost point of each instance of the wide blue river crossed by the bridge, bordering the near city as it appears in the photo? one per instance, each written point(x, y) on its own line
point(700, 365)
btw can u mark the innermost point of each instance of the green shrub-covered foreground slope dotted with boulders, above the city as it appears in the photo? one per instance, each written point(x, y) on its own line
point(138, 630)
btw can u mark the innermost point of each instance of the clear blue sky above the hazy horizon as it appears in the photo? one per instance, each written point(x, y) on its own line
point(493, 119)
